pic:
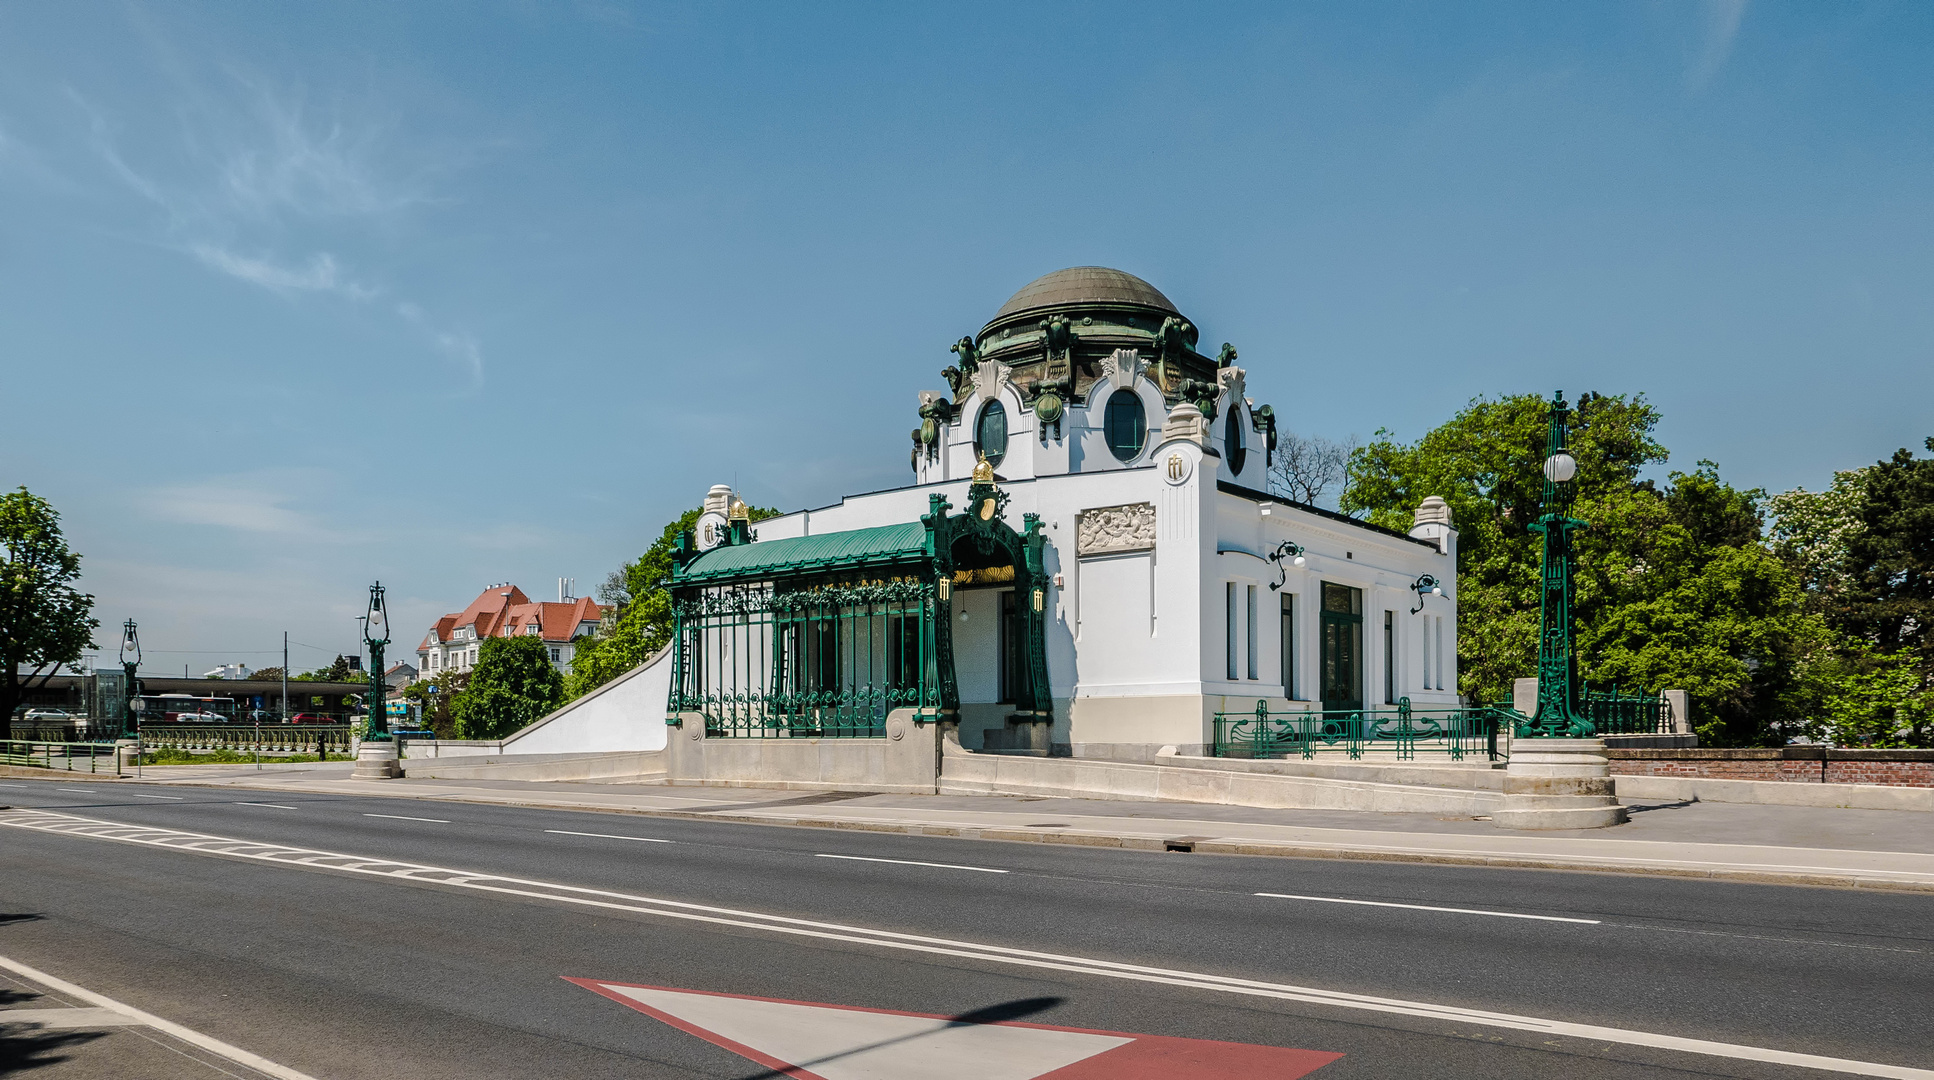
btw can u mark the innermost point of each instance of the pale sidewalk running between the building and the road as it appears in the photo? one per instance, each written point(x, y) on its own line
point(1713, 841)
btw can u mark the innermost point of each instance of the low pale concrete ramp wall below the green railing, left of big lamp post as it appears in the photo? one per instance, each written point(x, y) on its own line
point(968, 773)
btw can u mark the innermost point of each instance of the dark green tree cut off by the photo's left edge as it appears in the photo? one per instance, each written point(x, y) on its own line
point(44, 620)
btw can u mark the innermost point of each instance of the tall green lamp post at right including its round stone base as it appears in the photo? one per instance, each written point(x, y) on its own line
point(1558, 775)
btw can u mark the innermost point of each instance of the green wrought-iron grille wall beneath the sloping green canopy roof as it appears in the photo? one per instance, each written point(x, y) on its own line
point(825, 661)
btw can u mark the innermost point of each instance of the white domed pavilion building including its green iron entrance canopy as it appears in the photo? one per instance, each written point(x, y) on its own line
point(1171, 585)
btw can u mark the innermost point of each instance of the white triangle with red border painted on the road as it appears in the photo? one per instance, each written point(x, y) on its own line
point(836, 1042)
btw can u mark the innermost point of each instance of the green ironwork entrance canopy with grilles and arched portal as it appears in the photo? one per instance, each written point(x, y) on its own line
point(825, 636)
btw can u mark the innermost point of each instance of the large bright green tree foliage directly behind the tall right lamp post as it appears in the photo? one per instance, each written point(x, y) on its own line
point(1674, 585)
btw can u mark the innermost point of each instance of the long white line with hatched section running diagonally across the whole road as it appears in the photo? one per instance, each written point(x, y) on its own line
point(558, 893)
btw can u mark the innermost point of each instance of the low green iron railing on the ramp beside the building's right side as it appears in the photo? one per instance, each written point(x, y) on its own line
point(1401, 731)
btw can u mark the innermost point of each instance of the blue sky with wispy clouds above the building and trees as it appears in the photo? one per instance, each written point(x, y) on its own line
point(299, 297)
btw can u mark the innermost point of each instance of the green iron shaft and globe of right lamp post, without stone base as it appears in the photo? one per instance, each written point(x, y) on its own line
point(1558, 665)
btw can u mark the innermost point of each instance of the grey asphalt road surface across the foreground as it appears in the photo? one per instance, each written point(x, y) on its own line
point(347, 976)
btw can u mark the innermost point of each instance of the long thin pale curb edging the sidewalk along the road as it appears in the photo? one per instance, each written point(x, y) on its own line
point(1204, 847)
